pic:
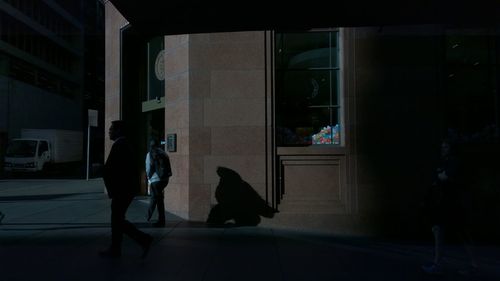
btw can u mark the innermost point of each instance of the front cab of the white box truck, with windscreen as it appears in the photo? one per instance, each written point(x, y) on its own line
point(27, 155)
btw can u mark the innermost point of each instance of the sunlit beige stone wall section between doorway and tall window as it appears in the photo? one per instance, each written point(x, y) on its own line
point(215, 103)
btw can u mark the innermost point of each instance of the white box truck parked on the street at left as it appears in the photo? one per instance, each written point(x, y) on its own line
point(38, 149)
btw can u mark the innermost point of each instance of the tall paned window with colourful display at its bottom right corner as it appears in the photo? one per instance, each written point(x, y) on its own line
point(308, 98)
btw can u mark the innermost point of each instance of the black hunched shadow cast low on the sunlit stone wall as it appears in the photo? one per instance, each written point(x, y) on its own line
point(238, 201)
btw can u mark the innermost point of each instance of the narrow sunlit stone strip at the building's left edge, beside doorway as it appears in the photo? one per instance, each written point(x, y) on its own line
point(114, 21)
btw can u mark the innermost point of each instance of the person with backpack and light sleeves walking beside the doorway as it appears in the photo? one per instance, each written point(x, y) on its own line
point(158, 171)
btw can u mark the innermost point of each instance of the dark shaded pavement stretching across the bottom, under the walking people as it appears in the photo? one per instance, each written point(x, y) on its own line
point(53, 230)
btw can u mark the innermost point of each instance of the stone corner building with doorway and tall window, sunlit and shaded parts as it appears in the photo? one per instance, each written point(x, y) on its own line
point(336, 127)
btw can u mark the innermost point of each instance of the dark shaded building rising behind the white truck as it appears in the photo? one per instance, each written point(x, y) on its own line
point(51, 65)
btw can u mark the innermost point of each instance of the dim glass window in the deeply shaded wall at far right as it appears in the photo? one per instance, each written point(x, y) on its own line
point(470, 89)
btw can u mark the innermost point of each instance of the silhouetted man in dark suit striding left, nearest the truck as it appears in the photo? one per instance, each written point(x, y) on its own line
point(121, 178)
